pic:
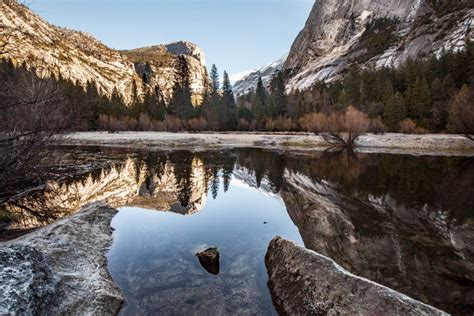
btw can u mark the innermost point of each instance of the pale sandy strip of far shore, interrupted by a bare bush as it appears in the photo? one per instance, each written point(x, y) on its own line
point(432, 144)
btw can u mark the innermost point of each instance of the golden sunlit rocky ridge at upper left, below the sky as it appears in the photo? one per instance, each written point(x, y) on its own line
point(80, 58)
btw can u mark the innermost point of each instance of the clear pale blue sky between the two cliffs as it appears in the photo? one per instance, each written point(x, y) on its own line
point(236, 35)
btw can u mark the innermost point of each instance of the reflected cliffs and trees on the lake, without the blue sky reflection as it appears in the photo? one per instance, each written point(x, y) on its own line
point(403, 221)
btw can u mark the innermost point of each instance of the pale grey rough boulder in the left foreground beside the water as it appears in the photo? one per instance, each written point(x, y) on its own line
point(61, 268)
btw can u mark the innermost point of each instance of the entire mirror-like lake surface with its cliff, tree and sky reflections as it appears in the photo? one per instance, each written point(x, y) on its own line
point(403, 221)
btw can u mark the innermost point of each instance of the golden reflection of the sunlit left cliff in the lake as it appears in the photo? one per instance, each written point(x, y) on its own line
point(124, 184)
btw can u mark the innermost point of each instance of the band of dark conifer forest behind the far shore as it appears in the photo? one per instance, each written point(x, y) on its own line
point(419, 96)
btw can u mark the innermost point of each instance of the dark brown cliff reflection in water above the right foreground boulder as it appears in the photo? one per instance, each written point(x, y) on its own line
point(376, 237)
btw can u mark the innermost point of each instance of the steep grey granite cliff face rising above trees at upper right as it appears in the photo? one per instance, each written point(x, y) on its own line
point(338, 34)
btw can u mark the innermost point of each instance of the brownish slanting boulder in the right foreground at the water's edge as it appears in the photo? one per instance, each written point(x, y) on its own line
point(303, 282)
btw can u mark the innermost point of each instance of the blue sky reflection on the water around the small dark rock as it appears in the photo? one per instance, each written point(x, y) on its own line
point(153, 255)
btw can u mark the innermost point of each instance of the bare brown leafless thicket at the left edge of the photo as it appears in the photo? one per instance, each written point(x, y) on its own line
point(32, 113)
